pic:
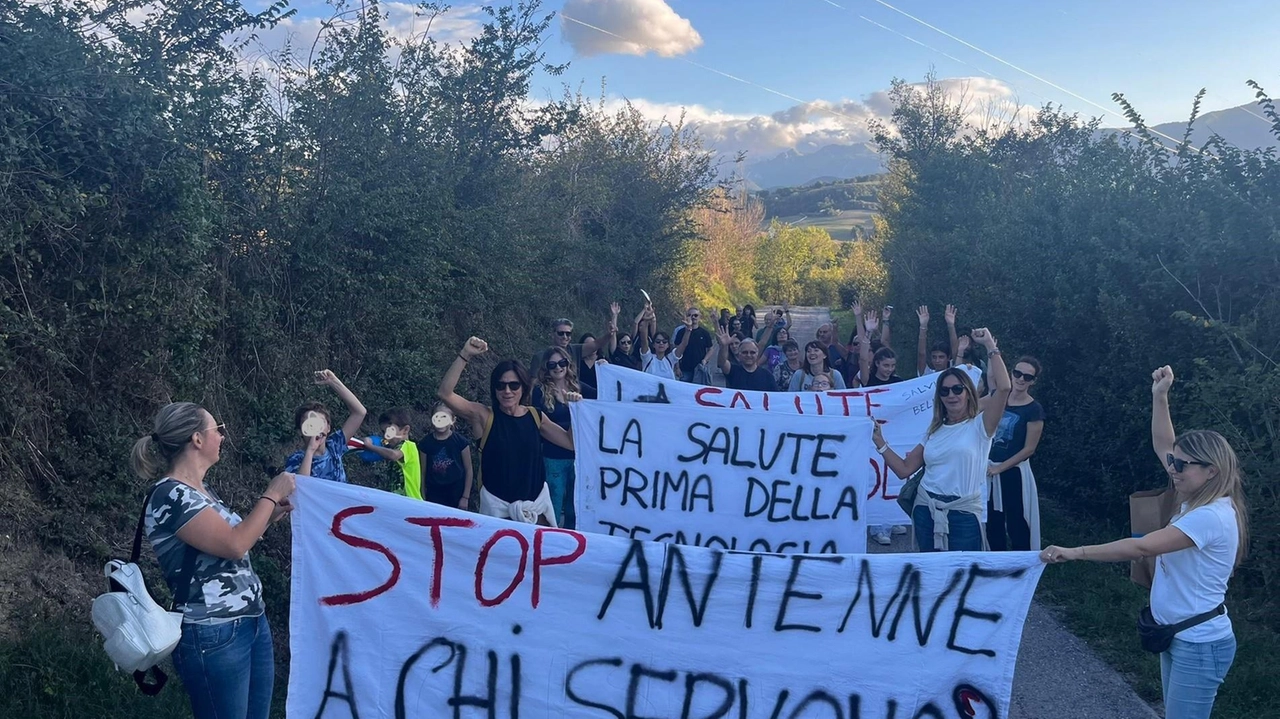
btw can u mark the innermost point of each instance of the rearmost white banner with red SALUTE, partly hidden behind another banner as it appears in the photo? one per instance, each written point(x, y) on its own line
point(904, 411)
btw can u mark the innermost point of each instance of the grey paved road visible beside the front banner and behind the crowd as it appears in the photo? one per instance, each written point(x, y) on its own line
point(1058, 675)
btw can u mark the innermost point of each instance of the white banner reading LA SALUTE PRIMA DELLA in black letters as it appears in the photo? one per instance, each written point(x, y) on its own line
point(708, 478)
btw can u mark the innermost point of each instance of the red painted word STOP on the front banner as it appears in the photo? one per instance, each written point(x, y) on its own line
point(437, 526)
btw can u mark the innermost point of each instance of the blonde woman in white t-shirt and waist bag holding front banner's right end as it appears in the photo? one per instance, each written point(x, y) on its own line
point(1195, 557)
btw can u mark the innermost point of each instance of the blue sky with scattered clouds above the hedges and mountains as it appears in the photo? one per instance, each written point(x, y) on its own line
point(815, 72)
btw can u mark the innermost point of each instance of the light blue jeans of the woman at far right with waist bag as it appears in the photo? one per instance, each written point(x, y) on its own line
point(1191, 674)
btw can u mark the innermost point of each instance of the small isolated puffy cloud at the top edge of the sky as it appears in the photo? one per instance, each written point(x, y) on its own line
point(638, 28)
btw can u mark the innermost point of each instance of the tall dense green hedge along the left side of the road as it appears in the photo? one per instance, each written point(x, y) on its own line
point(172, 228)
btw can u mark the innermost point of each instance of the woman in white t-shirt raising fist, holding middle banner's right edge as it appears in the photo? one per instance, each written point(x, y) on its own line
point(952, 502)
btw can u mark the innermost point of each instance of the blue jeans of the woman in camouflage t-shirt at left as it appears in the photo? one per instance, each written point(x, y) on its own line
point(228, 670)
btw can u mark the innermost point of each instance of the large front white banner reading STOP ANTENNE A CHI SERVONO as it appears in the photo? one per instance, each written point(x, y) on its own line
point(403, 608)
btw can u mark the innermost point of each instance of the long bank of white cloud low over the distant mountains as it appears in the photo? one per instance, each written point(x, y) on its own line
point(812, 126)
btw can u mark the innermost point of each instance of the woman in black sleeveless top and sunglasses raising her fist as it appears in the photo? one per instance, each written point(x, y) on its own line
point(513, 475)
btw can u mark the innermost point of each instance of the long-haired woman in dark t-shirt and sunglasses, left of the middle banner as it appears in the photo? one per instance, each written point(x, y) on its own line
point(555, 388)
